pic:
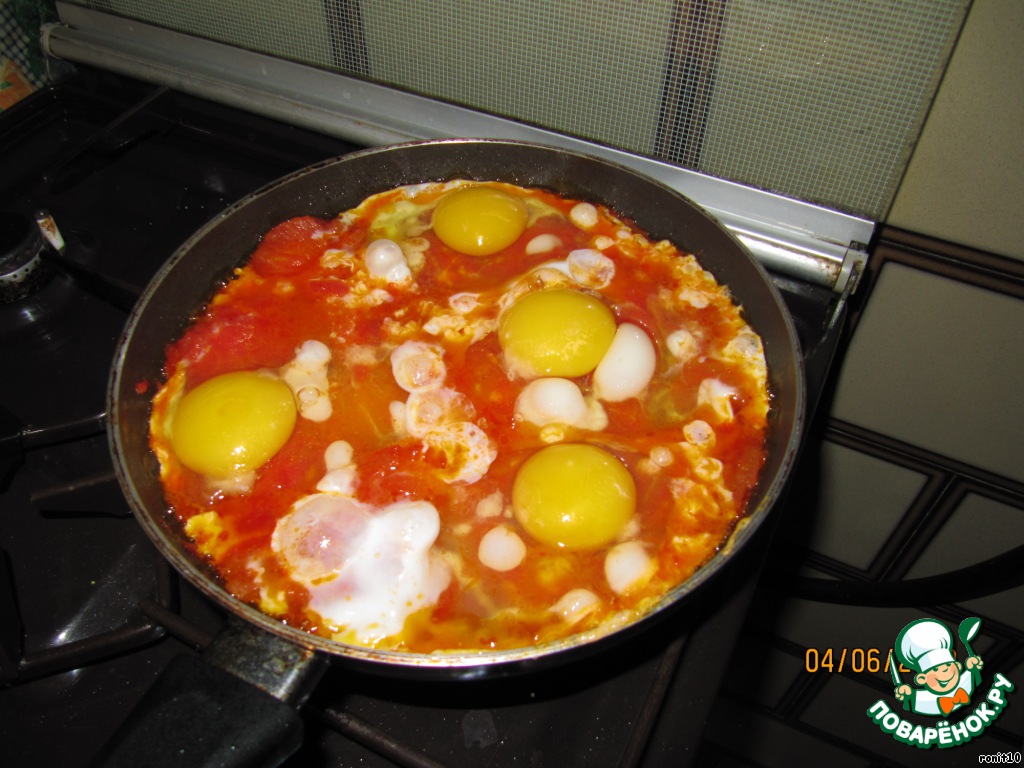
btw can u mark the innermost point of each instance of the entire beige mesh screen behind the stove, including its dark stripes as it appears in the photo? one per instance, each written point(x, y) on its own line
point(817, 100)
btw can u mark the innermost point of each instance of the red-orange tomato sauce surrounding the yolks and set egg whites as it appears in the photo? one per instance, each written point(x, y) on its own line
point(307, 281)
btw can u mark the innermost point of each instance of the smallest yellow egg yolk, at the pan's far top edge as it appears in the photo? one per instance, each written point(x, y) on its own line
point(480, 221)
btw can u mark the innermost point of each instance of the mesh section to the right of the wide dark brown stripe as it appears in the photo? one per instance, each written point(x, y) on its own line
point(824, 102)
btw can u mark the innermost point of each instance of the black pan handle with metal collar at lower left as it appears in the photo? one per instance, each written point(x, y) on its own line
point(236, 706)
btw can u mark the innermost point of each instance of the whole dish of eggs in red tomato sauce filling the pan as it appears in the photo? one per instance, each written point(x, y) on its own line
point(461, 416)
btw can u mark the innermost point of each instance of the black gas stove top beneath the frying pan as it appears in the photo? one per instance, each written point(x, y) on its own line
point(91, 615)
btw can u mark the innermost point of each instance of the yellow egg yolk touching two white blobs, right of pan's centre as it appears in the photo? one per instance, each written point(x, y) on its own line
point(557, 333)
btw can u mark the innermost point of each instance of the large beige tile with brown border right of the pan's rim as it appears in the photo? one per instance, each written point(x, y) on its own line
point(940, 365)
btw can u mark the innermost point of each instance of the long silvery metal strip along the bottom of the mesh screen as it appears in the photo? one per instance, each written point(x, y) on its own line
point(797, 239)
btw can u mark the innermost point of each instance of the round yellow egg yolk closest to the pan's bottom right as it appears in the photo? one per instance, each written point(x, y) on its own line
point(574, 496)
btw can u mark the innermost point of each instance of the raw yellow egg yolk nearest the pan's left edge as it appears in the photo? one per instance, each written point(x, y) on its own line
point(233, 423)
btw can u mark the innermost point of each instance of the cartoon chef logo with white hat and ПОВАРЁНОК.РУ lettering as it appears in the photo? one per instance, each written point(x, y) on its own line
point(942, 688)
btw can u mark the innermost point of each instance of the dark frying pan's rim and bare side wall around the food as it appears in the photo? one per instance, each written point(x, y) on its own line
point(188, 281)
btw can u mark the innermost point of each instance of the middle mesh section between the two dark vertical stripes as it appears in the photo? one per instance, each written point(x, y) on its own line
point(584, 68)
